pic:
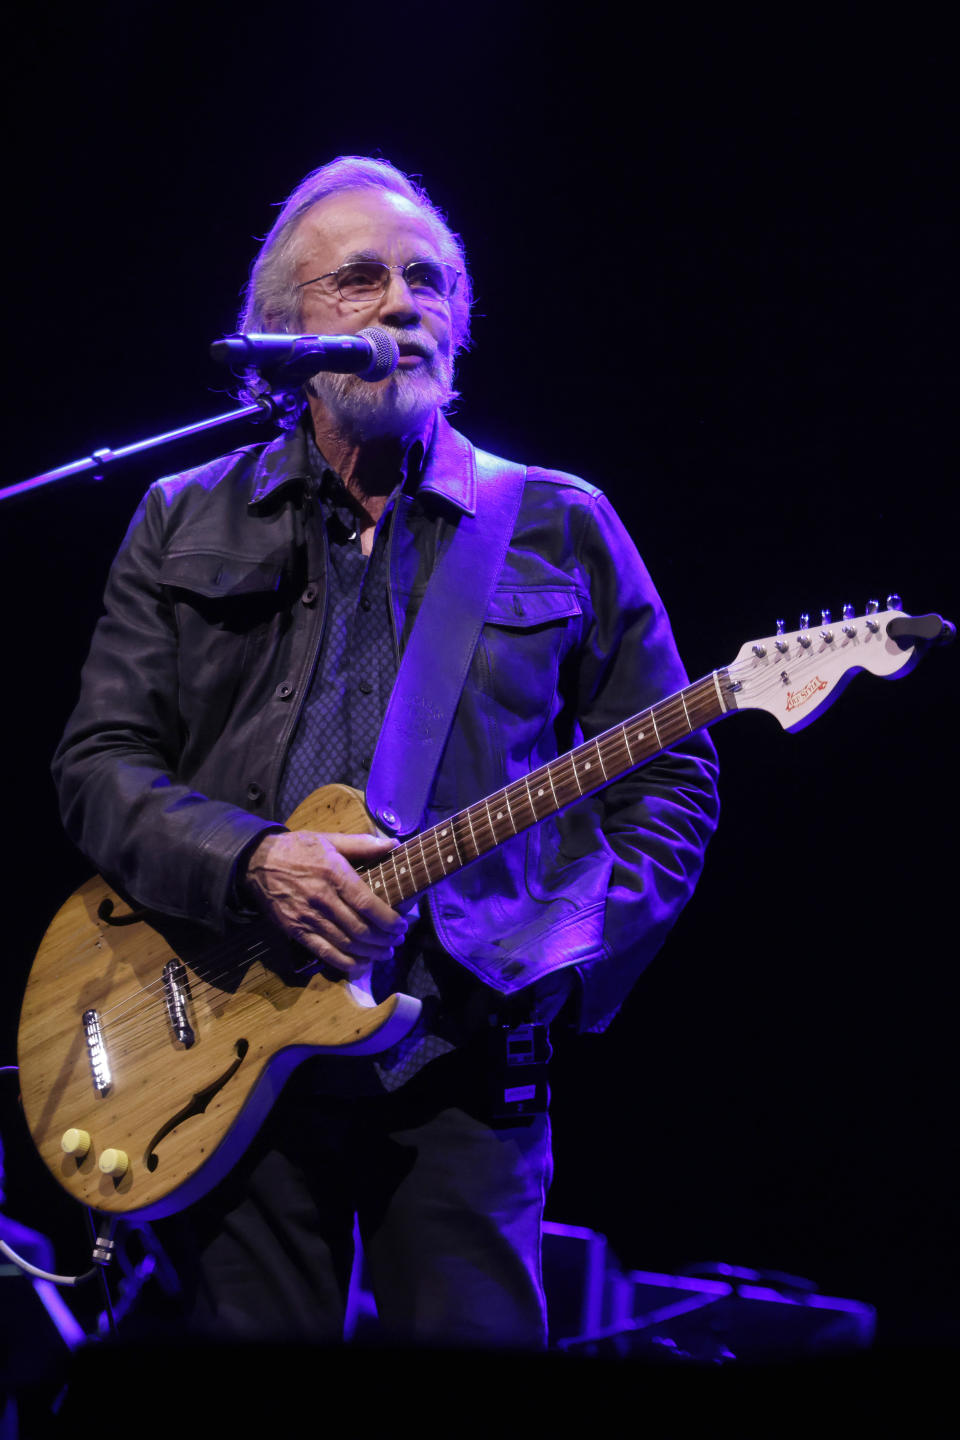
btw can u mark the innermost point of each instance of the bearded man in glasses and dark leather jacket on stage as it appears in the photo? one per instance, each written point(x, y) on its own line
point(270, 601)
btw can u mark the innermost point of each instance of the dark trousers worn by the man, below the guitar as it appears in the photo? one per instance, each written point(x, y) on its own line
point(450, 1207)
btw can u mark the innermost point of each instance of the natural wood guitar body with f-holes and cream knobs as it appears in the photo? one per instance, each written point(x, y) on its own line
point(250, 1029)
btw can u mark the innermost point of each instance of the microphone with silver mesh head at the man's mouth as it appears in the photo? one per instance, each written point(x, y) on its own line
point(289, 361)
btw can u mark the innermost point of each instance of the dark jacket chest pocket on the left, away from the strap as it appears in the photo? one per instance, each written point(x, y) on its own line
point(227, 610)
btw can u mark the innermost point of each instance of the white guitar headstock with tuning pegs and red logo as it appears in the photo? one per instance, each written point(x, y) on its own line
point(797, 675)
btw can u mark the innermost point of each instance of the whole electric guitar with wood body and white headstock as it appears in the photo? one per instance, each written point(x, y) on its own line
point(152, 1053)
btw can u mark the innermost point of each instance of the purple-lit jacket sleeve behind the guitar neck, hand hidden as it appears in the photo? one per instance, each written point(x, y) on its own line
point(654, 826)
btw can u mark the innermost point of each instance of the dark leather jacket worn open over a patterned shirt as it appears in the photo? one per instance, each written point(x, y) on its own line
point(215, 606)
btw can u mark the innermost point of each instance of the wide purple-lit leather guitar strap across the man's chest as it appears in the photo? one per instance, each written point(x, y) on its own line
point(440, 652)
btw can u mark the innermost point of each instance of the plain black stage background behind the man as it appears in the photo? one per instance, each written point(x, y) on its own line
point(715, 271)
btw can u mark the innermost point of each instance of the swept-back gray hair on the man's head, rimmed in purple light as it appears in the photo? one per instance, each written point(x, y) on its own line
point(271, 302)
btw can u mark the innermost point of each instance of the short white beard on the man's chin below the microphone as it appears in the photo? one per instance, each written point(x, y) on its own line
point(399, 405)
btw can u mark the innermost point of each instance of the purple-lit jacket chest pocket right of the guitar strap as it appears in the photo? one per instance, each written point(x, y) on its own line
point(525, 640)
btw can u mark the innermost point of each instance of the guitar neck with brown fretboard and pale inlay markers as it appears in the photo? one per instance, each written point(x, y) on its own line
point(445, 849)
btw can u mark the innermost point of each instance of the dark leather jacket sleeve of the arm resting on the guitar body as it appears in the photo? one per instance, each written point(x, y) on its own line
point(156, 839)
